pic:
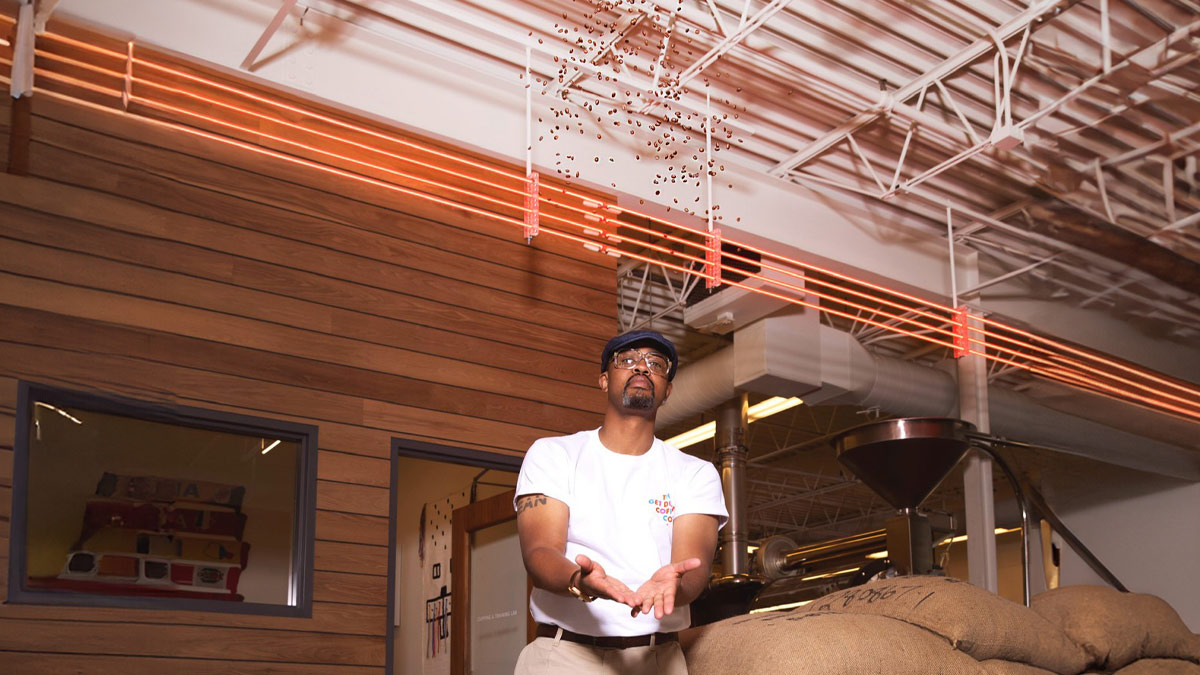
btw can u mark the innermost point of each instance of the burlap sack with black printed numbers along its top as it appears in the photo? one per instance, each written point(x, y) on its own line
point(973, 619)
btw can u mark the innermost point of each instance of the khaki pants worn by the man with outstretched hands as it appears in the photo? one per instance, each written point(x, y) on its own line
point(554, 656)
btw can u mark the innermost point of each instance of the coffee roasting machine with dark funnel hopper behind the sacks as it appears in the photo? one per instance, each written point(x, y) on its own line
point(903, 461)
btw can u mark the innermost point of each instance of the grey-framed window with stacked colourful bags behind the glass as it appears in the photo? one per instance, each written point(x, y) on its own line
point(127, 504)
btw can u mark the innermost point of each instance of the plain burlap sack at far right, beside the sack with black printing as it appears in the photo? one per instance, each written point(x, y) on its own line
point(1118, 629)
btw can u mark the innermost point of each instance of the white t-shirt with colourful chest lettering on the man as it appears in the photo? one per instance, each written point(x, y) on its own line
point(622, 509)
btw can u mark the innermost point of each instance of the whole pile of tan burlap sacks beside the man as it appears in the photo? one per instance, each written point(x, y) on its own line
point(941, 626)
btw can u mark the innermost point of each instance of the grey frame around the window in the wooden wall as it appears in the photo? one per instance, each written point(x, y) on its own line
point(305, 513)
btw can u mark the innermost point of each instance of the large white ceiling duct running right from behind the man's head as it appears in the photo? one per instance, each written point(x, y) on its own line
point(793, 355)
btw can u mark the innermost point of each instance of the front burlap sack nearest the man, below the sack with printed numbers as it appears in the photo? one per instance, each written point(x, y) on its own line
point(787, 643)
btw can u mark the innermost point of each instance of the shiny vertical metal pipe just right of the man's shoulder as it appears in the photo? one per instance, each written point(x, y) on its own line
point(731, 459)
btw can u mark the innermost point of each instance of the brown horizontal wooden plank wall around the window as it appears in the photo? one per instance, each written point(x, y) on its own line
point(146, 262)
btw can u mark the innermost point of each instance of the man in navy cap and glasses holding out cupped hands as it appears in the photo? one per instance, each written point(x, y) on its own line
point(617, 529)
